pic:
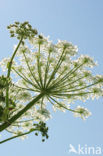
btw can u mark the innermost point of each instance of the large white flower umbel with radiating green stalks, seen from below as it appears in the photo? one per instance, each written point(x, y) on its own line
point(41, 70)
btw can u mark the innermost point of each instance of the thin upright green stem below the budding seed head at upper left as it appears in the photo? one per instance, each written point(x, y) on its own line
point(9, 71)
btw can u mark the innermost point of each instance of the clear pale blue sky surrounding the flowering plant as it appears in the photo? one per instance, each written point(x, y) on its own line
point(80, 22)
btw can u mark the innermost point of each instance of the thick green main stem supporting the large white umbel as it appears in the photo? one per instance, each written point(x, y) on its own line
point(21, 112)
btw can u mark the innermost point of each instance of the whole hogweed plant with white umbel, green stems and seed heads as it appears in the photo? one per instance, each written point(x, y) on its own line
point(40, 73)
